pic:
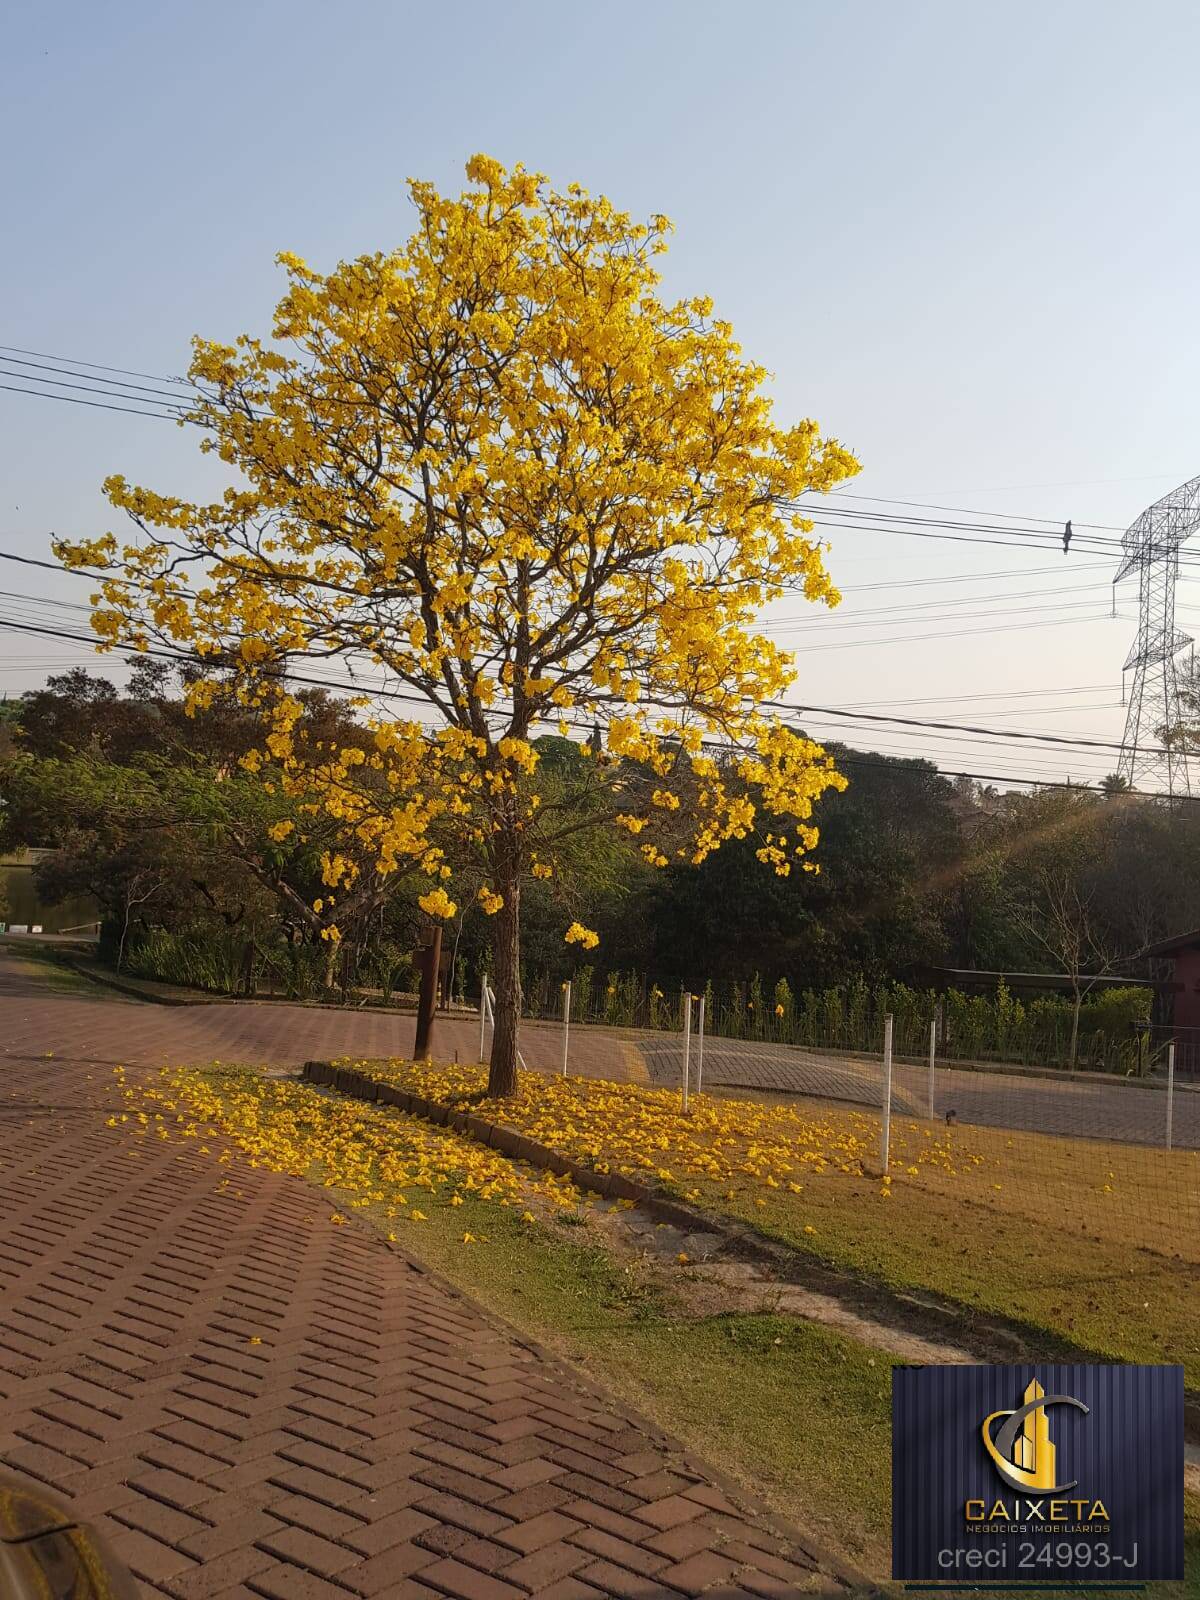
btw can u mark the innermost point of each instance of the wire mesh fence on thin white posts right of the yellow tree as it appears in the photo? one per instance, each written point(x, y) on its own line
point(1092, 1162)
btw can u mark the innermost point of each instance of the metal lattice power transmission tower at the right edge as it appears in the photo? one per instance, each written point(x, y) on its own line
point(1153, 550)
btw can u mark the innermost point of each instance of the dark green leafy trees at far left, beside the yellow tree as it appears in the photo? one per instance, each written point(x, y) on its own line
point(175, 834)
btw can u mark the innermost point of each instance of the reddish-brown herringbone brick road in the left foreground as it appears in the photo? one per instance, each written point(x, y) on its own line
point(254, 1401)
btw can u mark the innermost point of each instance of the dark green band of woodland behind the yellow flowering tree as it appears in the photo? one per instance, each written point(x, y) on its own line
point(914, 871)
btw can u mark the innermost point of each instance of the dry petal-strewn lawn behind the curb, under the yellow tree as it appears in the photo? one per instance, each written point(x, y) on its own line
point(1084, 1246)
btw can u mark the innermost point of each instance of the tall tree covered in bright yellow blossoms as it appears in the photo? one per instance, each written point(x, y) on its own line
point(495, 468)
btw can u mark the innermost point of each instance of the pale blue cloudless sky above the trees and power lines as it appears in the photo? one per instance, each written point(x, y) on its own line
point(962, 236)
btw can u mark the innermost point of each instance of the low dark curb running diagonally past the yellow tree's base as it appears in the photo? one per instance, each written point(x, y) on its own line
point(921, 1311)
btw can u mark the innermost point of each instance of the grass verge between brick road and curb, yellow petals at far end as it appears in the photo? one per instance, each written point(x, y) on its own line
point(798, 1412)
